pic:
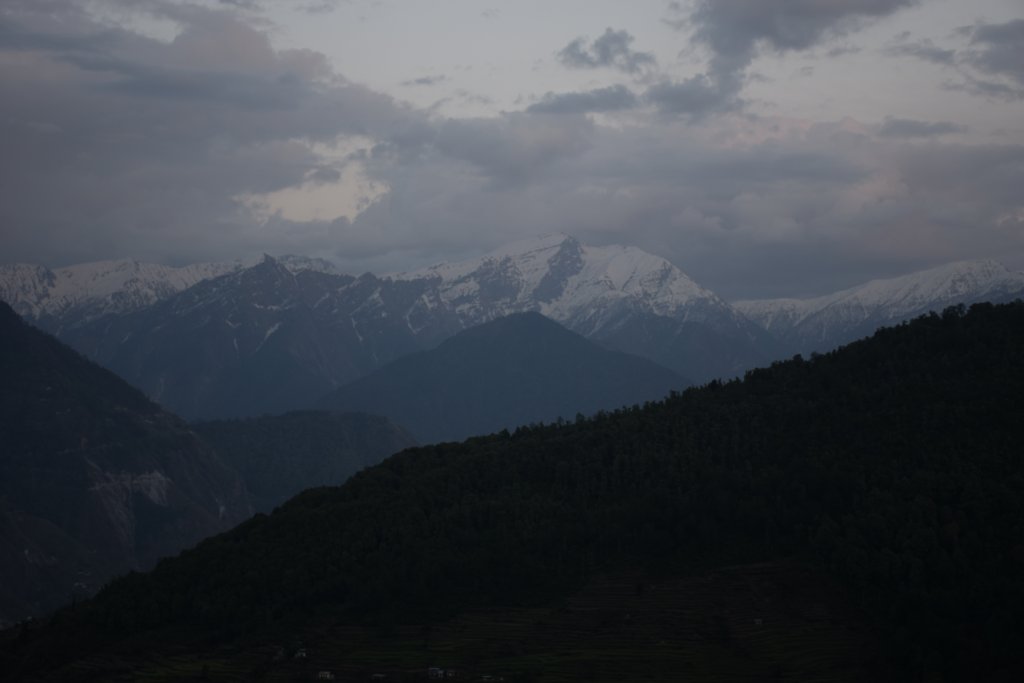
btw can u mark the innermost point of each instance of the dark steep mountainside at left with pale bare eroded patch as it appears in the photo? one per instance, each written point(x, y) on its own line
point(95, 479)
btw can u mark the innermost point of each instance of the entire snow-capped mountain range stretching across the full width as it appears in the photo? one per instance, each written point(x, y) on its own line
point(236, 340)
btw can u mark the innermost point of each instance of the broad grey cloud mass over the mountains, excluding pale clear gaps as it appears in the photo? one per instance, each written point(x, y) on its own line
point(121, 146)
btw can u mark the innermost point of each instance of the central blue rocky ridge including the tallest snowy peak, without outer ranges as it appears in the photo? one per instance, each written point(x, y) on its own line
point(273, 337)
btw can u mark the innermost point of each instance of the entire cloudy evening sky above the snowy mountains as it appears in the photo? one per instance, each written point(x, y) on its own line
point(778, 148)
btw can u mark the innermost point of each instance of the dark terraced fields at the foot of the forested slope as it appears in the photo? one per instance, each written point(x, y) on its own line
point(758, 622)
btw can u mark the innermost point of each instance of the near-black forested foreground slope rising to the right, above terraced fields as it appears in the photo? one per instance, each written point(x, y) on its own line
point(893, 464)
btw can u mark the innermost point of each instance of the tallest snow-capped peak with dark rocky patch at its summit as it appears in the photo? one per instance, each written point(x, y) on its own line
point(622, 297)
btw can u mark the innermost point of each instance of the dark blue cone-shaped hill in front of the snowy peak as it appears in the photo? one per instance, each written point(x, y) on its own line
point(515, 371)
